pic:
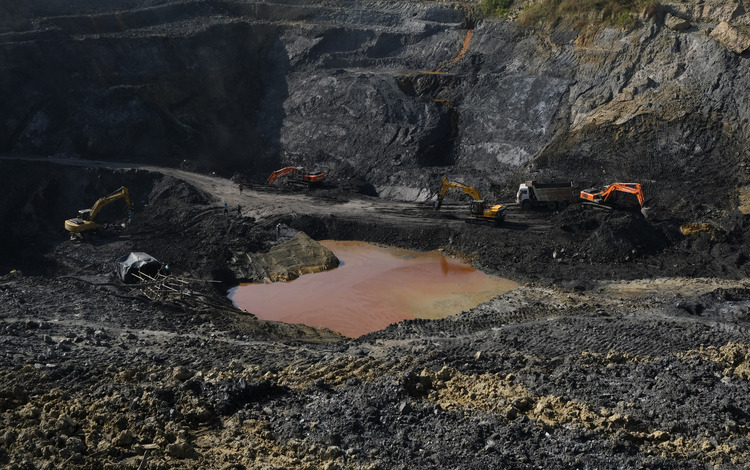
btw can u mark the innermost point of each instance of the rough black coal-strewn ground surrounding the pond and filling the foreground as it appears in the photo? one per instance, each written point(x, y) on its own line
point(560, 373)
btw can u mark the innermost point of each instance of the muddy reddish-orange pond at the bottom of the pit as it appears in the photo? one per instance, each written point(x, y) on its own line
point(373, 287)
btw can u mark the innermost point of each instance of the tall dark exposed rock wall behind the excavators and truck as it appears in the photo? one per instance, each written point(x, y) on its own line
point(396, 93)
